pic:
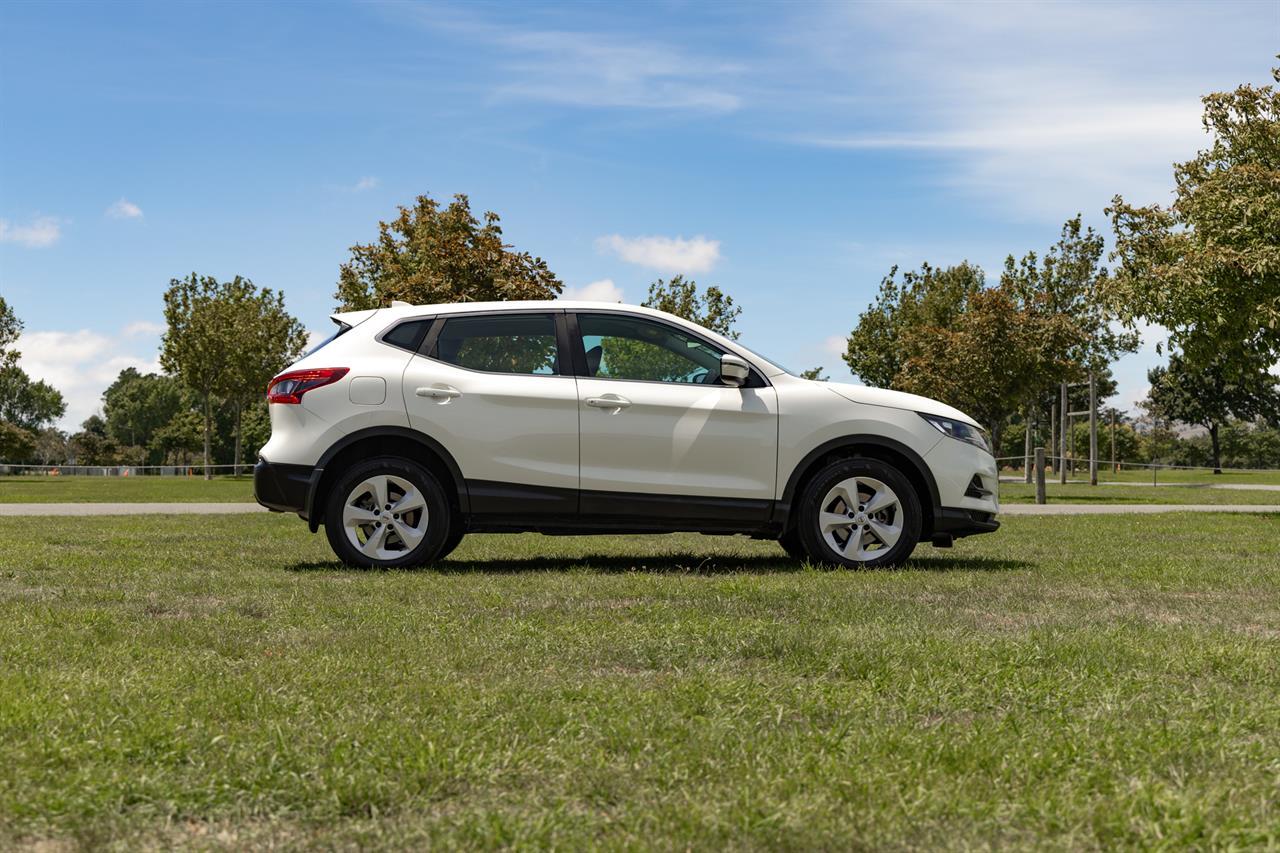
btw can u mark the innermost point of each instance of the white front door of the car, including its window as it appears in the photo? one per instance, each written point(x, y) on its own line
point(661, 435)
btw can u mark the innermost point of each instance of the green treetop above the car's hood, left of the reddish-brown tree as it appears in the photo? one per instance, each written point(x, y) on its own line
point(880, 346)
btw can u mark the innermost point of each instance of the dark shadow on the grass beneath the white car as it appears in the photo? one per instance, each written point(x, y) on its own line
point(669, 565)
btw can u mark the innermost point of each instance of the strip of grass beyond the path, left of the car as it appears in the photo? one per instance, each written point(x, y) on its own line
point(126, 490)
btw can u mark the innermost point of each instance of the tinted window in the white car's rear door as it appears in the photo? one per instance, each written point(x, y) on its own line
point(522, 344)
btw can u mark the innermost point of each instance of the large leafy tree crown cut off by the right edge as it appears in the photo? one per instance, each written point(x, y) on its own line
point(1208, 267)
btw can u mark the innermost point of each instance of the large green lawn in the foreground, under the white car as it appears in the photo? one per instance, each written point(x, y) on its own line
point(1066, 683)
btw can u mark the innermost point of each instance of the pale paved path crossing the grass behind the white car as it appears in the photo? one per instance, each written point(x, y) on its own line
point(235, 509)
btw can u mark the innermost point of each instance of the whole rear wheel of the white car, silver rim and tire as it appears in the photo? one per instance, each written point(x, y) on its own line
point(388, 513)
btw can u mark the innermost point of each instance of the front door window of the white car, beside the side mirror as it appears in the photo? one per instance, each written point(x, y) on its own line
point(629, 348)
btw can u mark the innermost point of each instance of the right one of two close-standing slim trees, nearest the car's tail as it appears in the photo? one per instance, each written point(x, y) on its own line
point(268, 340)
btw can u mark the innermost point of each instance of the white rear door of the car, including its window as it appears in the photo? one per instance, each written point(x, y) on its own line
point(493, 389)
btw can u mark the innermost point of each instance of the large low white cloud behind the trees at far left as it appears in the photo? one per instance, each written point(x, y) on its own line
point(83, 364)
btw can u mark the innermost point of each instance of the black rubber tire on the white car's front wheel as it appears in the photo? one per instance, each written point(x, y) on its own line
point(906, 514)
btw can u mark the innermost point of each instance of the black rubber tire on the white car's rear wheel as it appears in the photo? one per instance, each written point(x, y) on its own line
point(400, 553)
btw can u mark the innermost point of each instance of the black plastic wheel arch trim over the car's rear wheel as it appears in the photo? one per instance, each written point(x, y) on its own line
point(386, 441)
